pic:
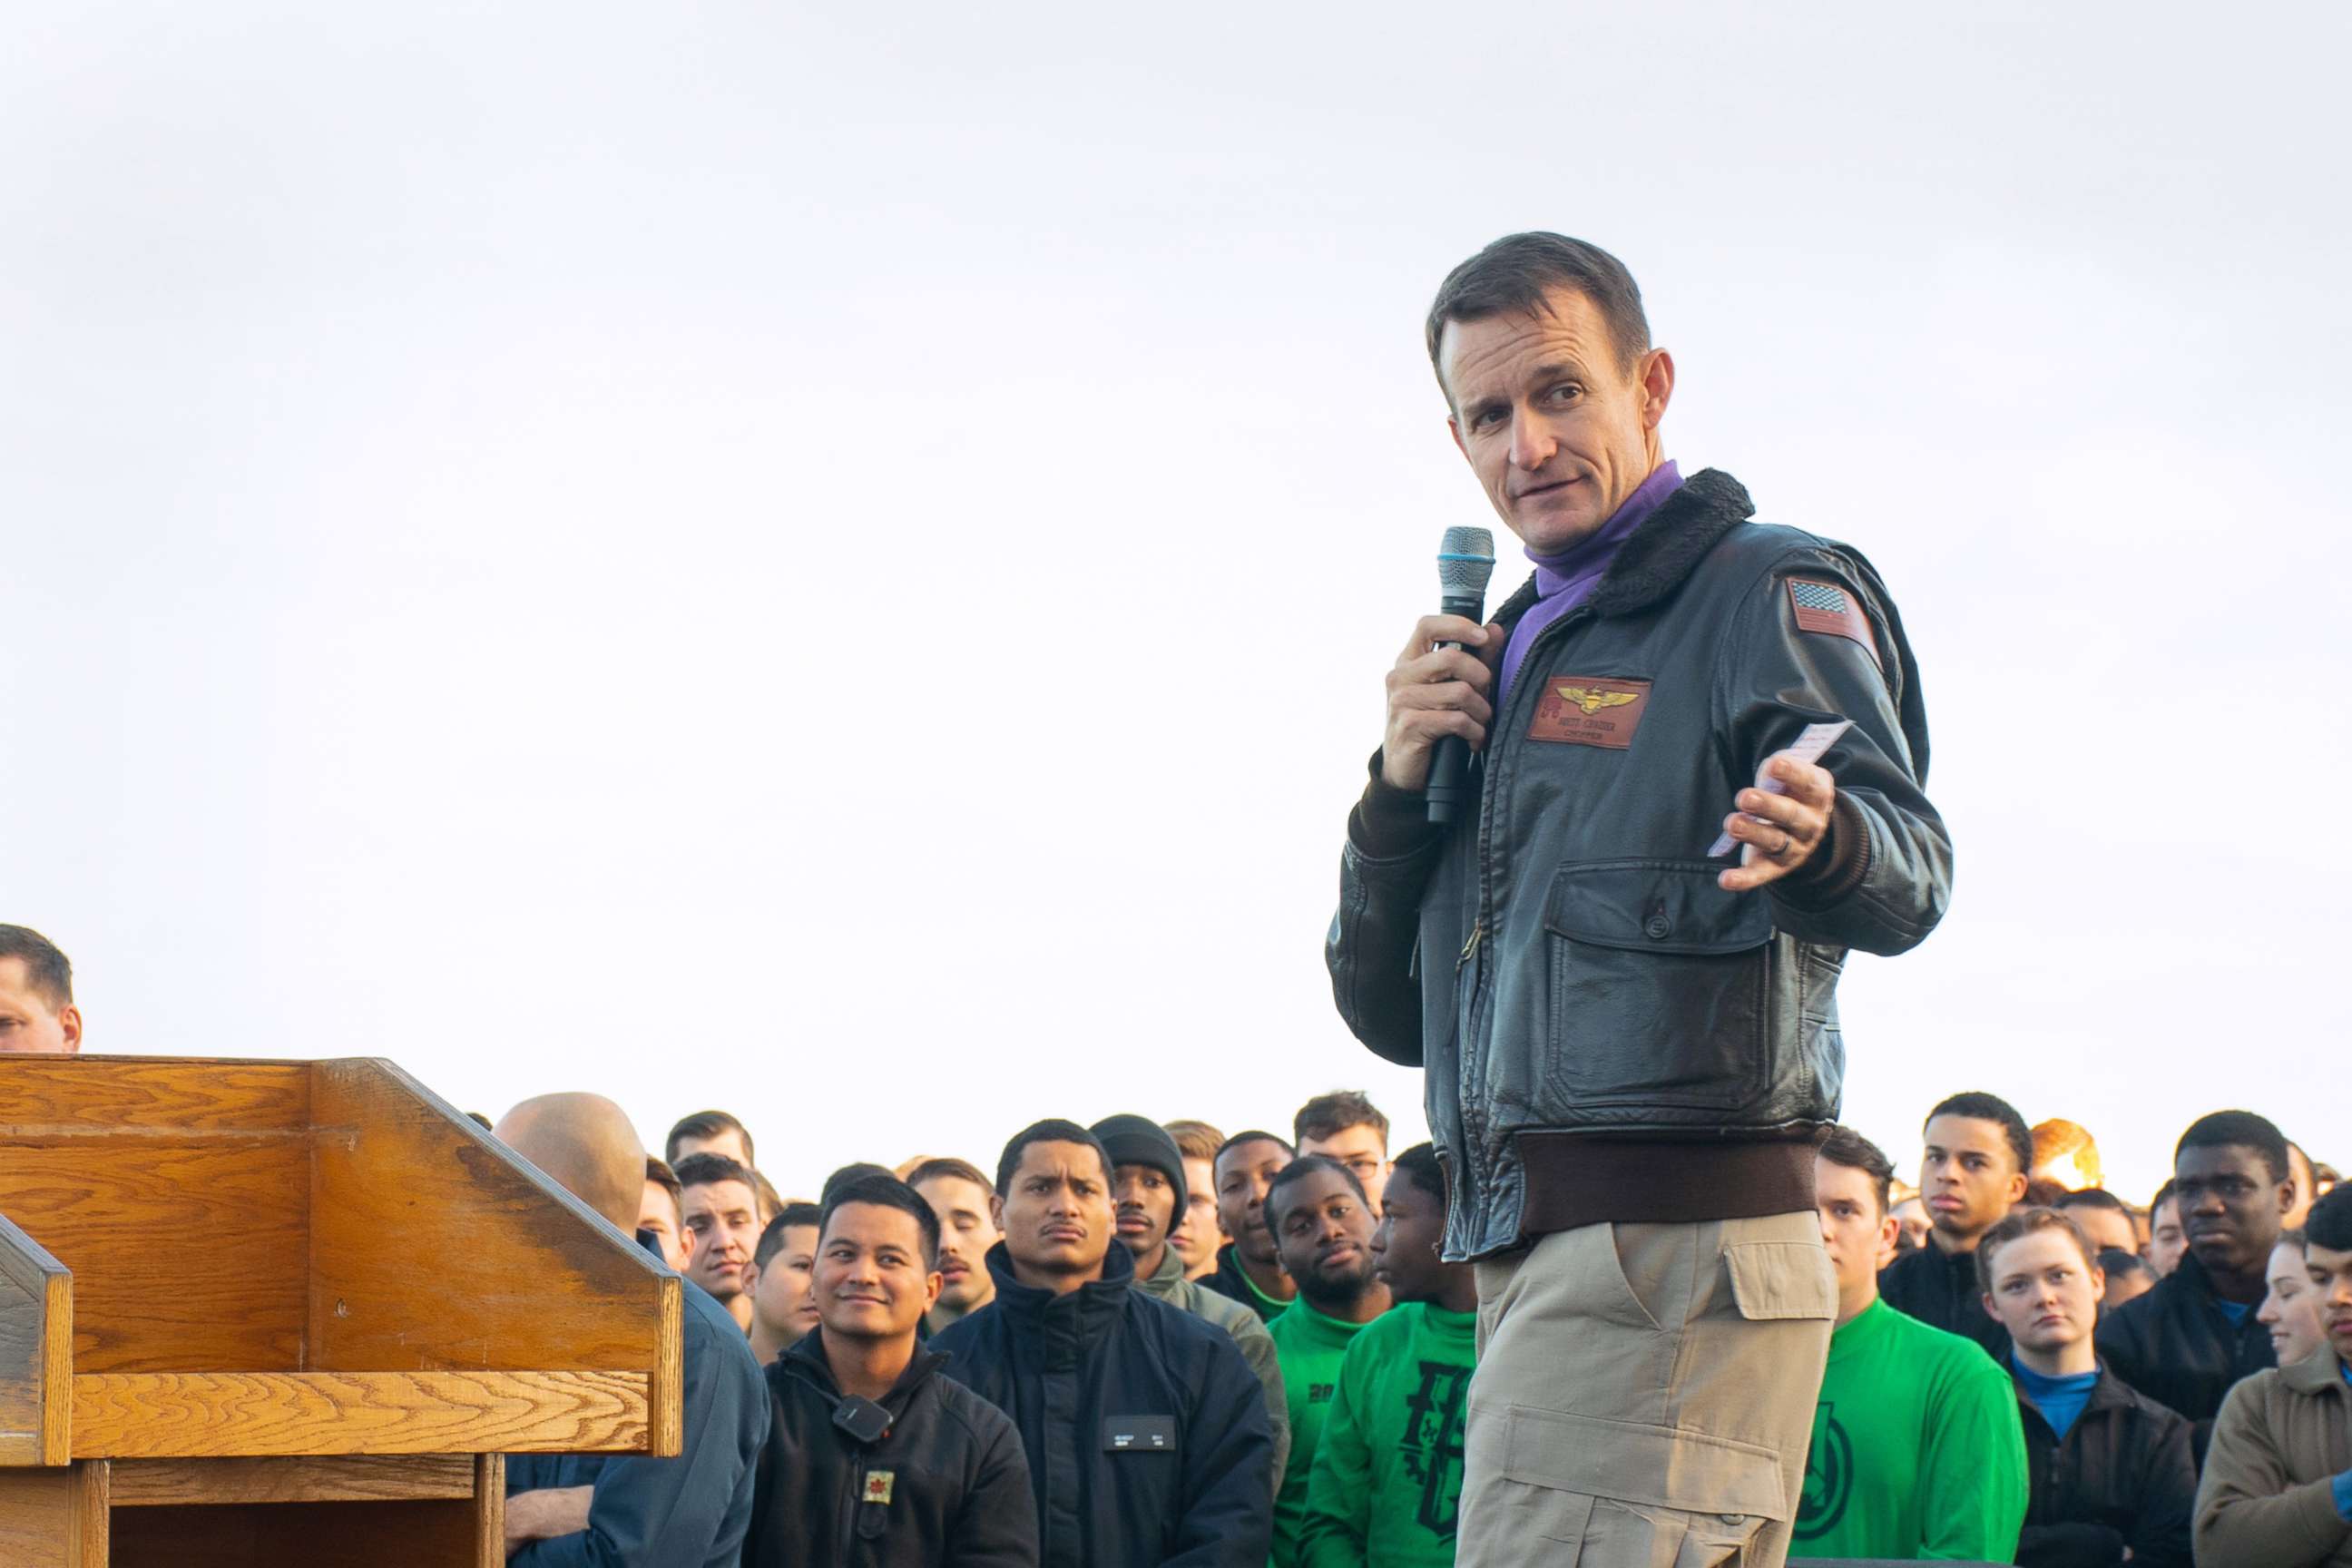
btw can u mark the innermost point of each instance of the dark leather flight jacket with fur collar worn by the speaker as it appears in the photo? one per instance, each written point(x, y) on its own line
point(1608, 1033)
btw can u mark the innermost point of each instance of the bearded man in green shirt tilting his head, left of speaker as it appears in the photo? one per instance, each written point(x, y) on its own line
point(1323, 1228)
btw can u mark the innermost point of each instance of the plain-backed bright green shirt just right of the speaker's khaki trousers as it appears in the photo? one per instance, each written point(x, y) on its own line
point(1918, 1449)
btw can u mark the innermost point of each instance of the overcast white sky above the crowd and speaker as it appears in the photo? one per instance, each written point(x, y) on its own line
point(838, 561)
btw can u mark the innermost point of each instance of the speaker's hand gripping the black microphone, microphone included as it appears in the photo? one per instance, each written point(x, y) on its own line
point(1438, 690)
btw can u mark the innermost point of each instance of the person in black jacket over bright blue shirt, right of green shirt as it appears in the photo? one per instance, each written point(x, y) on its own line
point(2113, 1477)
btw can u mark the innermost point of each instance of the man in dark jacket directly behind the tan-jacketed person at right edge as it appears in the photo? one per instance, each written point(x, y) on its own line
point(2196, 1334)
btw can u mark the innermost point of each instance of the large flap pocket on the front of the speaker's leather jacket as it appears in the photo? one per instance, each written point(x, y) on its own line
point(1659, 986)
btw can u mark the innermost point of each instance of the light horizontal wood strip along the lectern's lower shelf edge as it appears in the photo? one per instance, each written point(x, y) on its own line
point(159, 1416)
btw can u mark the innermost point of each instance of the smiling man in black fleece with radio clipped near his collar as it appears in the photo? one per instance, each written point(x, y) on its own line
point(876, 1461)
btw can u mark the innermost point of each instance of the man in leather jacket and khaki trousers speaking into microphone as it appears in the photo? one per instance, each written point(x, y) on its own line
point(1631, 1033)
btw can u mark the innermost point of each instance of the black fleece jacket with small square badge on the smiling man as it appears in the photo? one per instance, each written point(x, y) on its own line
point(947, 1487)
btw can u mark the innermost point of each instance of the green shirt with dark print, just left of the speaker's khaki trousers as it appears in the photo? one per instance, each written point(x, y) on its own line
point(1389, 1466)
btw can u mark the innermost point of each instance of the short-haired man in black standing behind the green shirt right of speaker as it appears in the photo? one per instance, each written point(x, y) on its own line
point(1972, 1174)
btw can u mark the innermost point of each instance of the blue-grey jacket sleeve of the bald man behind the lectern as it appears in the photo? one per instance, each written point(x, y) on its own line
point(662, 1513)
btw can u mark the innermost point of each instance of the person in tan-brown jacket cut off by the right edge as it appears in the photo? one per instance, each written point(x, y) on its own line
point(2278, 1482)
